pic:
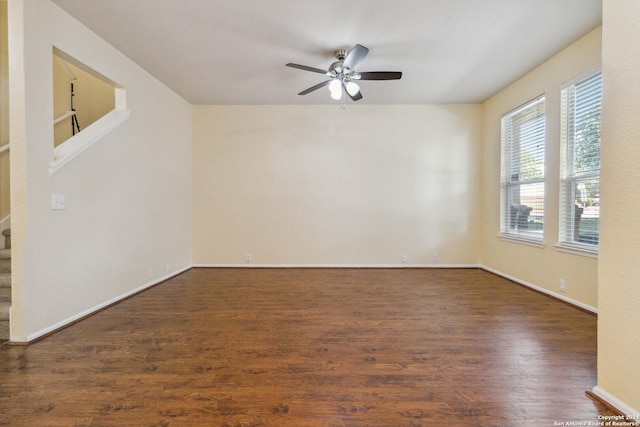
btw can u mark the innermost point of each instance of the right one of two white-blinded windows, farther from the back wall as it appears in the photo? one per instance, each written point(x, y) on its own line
point(580, 164)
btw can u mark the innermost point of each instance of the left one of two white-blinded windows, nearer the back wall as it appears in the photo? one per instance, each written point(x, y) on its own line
point(522, 172)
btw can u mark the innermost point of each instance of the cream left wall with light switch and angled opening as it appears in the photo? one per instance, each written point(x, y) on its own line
point(127, 222)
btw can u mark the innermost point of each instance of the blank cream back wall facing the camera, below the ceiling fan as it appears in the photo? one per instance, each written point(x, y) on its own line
point(317, 185)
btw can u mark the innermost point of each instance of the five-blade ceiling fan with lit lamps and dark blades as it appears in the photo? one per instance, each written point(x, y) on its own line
point(343, 75)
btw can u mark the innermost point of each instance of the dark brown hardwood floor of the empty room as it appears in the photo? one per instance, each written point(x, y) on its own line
point(312, 347)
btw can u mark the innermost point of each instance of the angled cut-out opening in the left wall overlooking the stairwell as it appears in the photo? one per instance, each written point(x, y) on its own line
point(81, 96)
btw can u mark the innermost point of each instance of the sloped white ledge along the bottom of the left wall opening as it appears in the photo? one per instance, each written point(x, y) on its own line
point(75, 145)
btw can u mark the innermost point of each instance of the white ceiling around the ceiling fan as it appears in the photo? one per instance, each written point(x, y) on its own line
point(235, 51)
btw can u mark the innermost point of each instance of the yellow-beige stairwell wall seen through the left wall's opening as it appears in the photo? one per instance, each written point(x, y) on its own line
point(93, 98)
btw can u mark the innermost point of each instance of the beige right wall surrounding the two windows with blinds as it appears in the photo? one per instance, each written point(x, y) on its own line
point(541, 267)
